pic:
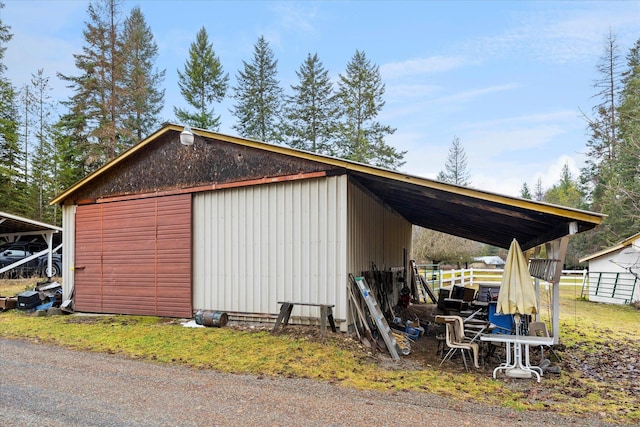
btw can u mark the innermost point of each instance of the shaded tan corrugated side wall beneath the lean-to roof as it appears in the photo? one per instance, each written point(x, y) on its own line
point(376, 233)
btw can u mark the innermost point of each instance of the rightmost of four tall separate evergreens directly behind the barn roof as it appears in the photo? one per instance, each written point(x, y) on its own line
point(360, 99)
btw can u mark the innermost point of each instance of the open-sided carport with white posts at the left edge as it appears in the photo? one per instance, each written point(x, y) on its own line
point(14, 228)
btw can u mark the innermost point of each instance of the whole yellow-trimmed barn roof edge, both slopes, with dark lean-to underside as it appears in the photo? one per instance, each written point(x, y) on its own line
point(465, 212)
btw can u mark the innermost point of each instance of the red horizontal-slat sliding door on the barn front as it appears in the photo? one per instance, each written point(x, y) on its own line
point(134, 257)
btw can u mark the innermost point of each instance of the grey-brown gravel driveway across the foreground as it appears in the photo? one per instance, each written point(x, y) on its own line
point(43, 385)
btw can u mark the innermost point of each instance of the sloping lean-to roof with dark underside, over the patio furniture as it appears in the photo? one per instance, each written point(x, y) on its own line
point(473, 214)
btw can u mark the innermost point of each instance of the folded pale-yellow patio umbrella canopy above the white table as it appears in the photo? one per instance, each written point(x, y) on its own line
point(517, 293)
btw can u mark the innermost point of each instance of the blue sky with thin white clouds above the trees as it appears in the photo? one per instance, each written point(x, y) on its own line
point(510, 79)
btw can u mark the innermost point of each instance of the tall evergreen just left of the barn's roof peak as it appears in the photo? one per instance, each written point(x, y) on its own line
point(141, 80)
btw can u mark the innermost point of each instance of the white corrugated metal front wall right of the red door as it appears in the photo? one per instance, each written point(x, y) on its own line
point(255, 246)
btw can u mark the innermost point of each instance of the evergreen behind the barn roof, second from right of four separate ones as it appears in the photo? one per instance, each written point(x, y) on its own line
point(311, 111)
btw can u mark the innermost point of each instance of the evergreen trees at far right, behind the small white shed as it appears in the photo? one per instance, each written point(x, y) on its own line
point(610, 180)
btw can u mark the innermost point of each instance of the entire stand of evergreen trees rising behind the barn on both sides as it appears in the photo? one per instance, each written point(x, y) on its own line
point(118, 95)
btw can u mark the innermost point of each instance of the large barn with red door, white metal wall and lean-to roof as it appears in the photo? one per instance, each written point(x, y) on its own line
point(227, 223)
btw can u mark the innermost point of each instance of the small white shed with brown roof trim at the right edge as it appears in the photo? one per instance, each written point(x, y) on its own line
point(614, 273)
